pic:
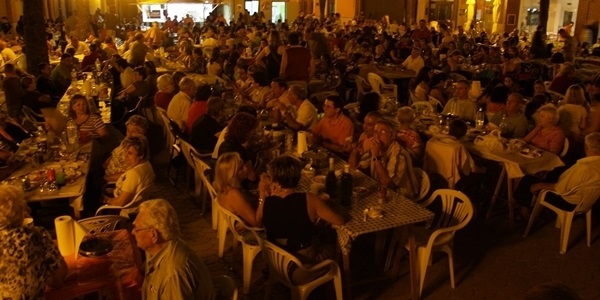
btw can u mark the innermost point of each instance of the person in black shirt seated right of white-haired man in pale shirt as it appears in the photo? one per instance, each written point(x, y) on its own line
point(205, 131)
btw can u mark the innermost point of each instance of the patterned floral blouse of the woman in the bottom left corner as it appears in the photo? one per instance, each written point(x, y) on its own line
point(26, 255)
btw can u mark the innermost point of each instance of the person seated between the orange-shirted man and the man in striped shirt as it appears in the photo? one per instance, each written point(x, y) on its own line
point(360, 156)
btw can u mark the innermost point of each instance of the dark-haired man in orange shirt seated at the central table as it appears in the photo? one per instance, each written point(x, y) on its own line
point(333, 130)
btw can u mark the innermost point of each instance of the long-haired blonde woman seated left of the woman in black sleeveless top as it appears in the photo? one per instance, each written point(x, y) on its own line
point(229, 172)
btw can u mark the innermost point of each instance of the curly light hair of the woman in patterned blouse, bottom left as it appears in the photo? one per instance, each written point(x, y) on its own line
point(12, 206)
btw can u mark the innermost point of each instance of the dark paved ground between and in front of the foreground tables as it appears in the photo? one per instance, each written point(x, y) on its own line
point(492, 259)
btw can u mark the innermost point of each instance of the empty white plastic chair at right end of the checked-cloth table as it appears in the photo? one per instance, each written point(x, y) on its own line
point(457, 212)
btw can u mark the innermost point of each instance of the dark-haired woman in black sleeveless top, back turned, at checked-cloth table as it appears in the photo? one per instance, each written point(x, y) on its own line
point(290, 217)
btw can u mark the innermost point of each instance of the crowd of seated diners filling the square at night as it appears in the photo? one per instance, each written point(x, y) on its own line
point(268, 67)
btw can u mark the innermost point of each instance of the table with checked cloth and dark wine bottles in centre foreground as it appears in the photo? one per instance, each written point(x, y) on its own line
point(398, 212)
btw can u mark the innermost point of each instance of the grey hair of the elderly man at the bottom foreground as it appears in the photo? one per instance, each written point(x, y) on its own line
point(160, 215)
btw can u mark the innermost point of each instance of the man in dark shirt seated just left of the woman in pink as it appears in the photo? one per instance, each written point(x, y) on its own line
point(515, 122)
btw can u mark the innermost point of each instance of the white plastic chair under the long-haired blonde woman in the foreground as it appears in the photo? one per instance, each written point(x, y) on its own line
point(250, 248)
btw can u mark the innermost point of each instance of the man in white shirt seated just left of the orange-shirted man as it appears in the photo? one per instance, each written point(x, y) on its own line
point(300, 114)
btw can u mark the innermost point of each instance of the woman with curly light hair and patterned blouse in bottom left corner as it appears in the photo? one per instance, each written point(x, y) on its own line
point(30, 258)
